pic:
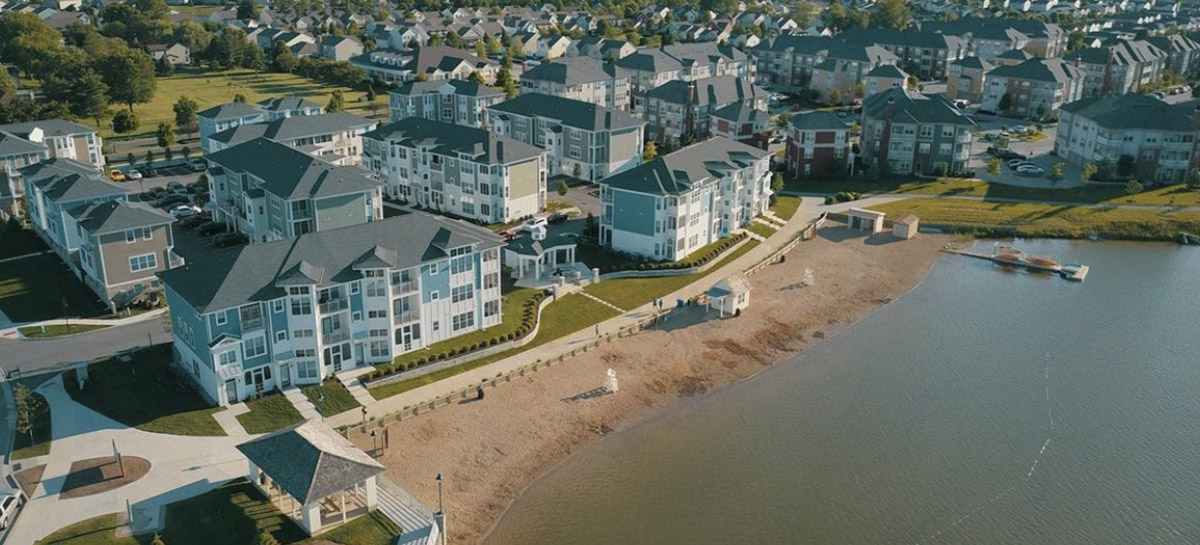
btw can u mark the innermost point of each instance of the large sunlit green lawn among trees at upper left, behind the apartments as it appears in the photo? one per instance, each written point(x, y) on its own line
point(213, 88)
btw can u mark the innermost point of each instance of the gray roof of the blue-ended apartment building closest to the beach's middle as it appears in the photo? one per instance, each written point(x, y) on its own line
point(679, 172)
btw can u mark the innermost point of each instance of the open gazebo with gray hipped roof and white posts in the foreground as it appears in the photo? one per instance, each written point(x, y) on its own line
point(314, 476)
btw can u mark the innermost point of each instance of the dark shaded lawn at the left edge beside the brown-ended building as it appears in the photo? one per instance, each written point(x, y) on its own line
point(34, 290)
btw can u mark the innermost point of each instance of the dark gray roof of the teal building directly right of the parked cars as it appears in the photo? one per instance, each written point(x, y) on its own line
point(290, 173)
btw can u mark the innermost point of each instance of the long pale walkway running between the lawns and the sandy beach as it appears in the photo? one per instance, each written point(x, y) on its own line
point(811, 209)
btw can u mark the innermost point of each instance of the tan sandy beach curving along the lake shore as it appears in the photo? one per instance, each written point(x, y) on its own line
point(490, 451)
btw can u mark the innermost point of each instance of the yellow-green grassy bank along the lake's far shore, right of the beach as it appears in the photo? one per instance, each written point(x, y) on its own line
point(1047, 220)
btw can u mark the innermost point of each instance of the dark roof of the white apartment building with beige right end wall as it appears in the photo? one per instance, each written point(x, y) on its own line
point(443, 139)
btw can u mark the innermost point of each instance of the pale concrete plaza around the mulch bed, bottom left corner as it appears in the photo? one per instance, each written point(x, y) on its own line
point(183, 468)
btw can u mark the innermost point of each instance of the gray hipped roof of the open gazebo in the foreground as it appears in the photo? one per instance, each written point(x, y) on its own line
point(310, 462)
